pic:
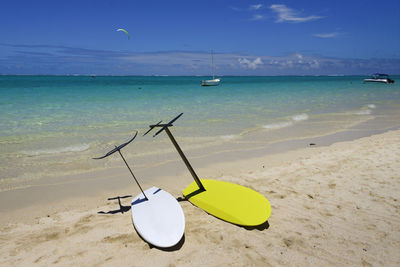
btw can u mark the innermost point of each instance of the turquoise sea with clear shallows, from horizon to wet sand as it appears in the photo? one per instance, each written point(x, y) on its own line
point(52, 126)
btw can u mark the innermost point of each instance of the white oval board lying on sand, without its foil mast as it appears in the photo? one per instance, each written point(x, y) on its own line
point(159, 220)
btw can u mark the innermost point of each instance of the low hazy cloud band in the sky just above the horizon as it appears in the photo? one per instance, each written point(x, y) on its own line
point(31, 59)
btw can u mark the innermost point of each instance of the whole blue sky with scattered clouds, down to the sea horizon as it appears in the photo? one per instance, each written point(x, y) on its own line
point(351, 37)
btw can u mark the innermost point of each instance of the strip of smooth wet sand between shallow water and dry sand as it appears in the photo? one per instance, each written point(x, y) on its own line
point(166, 167)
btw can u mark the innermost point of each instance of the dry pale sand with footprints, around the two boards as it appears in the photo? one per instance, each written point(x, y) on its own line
point(331, 206)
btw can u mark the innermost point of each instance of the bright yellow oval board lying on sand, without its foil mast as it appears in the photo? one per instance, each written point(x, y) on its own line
point(230, 202)
